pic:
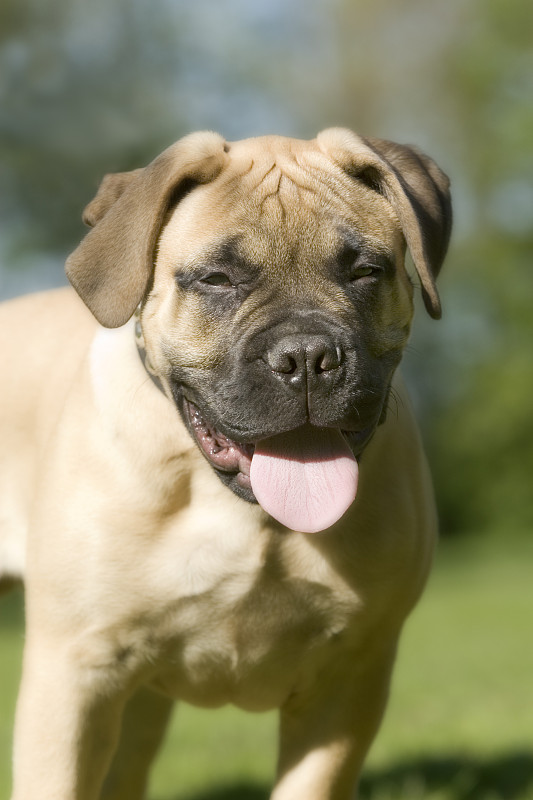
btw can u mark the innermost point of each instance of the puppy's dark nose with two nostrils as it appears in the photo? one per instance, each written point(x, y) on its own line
point(304, 358)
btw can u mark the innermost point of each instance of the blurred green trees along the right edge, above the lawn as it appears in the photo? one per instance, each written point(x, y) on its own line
point(484, 436)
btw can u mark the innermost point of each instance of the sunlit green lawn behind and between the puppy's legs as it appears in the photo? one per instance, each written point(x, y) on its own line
point(460, 721)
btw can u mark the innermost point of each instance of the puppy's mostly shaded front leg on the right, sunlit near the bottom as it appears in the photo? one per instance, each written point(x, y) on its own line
point(326, 731)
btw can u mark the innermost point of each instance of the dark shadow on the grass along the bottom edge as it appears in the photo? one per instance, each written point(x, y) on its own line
point(505, 777)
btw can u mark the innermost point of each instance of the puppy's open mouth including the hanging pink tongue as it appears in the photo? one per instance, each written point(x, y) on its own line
point(305, 478)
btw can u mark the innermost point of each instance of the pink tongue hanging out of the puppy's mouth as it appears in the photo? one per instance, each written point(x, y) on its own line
point(306, 478)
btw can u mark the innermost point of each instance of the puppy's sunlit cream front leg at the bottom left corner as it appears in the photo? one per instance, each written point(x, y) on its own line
point(67, 726)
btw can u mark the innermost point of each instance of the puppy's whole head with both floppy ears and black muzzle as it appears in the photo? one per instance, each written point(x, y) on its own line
point(275, 304)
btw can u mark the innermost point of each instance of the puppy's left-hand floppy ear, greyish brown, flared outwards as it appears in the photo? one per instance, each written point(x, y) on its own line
point(112, 266)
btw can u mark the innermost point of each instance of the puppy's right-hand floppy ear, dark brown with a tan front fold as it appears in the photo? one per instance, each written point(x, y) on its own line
point(415, 187)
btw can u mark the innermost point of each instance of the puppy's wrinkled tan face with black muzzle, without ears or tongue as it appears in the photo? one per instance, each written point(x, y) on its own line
point(278, 300)
